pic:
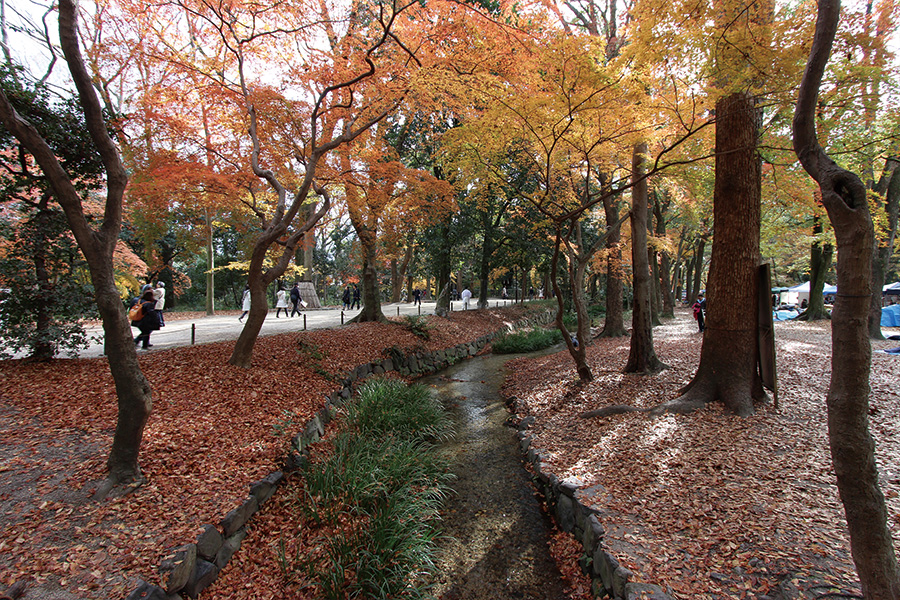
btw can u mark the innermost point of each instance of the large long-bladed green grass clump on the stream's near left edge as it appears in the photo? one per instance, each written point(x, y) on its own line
point(376, 497)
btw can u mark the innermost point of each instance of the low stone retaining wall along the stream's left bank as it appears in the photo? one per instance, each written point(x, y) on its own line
point(191, 568)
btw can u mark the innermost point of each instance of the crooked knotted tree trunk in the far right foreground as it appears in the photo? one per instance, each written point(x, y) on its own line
point(852, 447)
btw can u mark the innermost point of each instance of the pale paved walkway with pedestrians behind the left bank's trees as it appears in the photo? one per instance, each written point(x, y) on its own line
point(183, 332)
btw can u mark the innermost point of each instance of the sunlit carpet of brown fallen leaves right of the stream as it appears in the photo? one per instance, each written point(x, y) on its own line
point(709, 505)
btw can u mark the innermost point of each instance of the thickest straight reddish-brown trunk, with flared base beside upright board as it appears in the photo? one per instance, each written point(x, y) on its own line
point(728, 359)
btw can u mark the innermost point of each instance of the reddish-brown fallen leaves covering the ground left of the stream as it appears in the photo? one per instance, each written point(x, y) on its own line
point(214, 429)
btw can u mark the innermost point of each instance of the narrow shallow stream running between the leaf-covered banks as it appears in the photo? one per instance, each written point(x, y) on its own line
point(497, 546)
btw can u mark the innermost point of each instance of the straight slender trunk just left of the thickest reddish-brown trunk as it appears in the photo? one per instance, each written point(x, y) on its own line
point(642, 357)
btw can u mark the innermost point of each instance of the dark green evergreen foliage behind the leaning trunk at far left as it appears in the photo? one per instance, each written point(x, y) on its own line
point(46, 296)
